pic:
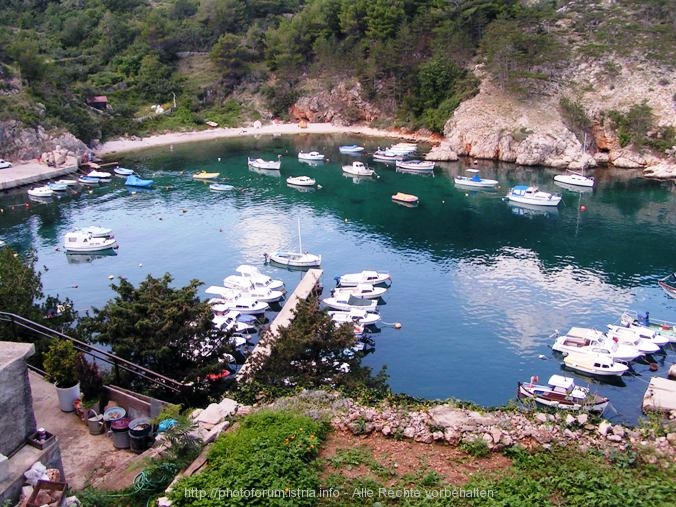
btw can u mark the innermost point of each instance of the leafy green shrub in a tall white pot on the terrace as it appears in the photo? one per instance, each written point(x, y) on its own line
point(61, 363)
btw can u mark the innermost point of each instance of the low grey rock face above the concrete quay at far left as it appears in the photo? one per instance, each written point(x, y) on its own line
point(24, 143)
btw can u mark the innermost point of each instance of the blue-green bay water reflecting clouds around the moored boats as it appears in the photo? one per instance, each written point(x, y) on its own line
point(478, 286)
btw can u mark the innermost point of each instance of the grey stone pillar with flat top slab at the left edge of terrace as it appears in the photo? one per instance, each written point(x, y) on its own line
point(17, 420)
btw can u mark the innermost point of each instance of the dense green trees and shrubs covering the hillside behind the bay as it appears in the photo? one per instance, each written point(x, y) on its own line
point(215, 59)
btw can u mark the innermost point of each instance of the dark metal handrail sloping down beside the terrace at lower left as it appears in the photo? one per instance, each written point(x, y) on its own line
point(86, 348)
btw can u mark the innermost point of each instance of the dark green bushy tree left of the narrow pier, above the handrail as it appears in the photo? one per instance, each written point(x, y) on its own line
point(161, 328)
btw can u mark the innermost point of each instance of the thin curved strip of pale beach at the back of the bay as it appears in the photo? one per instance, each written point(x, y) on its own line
point(131, 144)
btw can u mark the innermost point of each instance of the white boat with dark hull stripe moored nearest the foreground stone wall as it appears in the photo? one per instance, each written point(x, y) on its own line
point(562, 393)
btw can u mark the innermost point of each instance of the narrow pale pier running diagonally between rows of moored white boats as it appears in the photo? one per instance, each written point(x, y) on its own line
point(264, 347)
